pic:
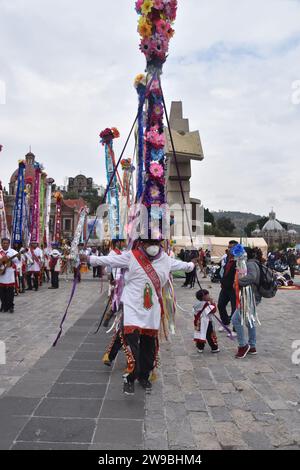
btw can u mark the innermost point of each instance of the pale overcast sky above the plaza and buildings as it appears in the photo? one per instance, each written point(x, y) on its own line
point(68, 68)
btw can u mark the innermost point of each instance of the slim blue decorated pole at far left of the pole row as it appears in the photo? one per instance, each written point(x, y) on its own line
point(19, 209)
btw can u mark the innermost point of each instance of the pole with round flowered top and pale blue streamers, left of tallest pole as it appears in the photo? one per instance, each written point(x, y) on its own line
point(107, 136)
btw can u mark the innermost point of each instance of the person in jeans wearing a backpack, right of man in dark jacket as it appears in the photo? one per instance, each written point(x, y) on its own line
point(252, 279)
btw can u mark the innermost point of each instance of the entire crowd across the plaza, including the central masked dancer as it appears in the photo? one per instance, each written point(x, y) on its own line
point(137, 276)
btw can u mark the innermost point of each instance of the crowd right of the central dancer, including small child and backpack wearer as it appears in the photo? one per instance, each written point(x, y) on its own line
point(231, 291)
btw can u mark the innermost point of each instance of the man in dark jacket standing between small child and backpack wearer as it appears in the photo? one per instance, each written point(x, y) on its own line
point(227, 293)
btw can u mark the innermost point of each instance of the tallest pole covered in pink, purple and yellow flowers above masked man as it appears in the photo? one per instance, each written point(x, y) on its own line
point(155, 28)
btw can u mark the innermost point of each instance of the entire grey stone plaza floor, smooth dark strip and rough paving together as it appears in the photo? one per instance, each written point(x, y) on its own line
point(64, 398)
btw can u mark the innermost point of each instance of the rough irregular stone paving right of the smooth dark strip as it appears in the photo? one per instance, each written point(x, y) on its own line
point(214, 401)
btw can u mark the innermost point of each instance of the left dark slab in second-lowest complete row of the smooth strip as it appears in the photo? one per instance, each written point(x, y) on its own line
point(69, 408)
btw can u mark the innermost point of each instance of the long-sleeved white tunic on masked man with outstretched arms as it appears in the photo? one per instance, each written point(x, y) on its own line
point(136, 279)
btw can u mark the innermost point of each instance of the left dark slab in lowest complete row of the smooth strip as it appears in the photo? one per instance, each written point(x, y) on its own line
point(58, 430)
